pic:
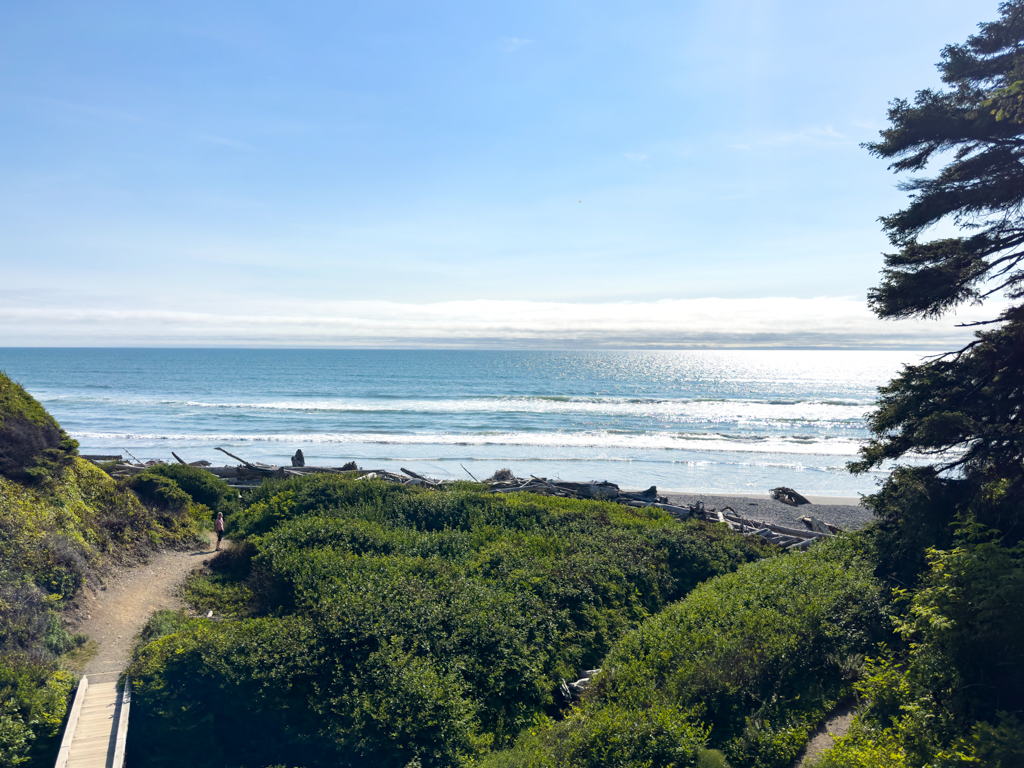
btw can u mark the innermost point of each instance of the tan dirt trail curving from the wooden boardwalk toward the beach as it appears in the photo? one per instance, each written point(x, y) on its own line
point(115, 614)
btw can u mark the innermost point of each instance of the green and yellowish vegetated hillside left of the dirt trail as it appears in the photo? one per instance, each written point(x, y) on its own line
point(63, 523)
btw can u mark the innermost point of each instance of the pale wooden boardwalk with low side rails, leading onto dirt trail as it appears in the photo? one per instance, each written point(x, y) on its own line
point(98, 727)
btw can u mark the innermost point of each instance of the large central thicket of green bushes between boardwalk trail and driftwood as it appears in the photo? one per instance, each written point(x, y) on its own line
point(393, 624)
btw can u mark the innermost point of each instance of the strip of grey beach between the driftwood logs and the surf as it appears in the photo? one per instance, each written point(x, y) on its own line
point(848, 514)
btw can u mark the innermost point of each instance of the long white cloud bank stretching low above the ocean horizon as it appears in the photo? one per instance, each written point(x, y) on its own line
point(712, 323)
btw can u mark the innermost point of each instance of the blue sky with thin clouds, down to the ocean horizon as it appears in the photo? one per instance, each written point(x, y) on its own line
point(455, 174)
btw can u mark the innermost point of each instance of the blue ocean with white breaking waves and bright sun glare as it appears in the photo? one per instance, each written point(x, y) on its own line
point(727, 421)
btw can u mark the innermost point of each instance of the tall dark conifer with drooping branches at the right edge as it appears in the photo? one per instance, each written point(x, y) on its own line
point(963, 410)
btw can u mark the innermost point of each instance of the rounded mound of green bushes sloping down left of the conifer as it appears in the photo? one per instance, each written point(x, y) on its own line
point(757, 658)
